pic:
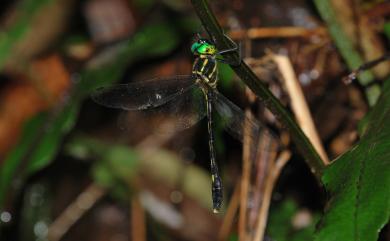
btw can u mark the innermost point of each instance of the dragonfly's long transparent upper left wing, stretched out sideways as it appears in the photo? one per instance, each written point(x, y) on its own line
point(144, 94)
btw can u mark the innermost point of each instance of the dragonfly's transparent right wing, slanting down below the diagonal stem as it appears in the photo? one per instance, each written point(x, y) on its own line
point(235, 120)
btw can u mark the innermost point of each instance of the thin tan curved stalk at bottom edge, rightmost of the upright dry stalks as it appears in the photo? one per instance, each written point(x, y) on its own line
point(275, 170)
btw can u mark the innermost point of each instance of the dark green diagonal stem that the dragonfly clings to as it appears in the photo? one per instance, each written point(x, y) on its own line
point(250, 79)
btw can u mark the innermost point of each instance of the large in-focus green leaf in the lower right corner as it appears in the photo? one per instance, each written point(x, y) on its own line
point(358, 183)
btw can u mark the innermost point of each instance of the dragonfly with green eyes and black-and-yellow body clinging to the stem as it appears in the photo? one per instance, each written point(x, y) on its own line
point(189, 98)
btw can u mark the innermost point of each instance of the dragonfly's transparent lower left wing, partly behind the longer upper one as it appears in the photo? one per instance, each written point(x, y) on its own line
point(179, 112)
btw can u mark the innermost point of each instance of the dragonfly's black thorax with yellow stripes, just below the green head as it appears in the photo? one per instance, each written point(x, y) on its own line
point(205, 69)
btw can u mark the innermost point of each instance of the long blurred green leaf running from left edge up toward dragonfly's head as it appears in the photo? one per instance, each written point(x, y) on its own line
point(42, 138)
